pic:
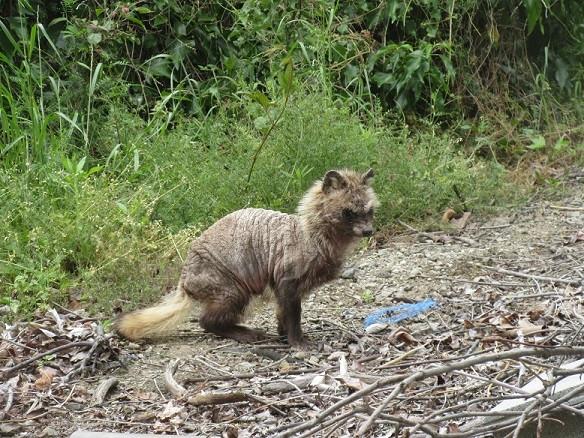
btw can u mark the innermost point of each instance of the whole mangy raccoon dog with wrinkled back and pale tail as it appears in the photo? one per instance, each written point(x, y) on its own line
point(250, 250)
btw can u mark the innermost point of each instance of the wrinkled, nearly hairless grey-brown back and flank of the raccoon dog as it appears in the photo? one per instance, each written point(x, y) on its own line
point(247, 249)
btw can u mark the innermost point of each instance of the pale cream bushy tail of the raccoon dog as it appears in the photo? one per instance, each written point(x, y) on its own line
point(154, 321)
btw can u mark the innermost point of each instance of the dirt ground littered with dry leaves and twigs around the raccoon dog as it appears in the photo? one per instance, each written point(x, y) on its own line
point(479, 309)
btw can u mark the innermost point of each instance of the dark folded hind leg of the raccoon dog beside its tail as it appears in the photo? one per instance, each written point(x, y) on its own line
point(223, 317)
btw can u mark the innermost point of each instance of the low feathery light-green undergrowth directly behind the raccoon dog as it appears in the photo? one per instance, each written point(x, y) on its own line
point(114, 234)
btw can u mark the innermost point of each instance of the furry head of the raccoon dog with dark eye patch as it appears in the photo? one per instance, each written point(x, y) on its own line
point(343, 199)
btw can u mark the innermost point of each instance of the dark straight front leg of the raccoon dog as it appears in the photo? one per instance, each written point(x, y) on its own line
point(290, 313)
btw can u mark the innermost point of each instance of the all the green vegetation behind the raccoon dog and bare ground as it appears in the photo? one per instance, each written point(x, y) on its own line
point(127, 127)
